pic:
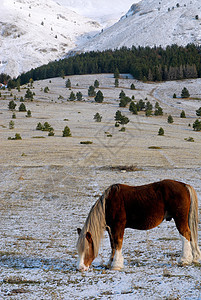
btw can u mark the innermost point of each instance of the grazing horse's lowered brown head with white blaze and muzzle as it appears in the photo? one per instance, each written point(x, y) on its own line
point(85, 251)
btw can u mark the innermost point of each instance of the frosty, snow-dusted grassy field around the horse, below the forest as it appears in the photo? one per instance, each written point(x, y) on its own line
point(49, 183)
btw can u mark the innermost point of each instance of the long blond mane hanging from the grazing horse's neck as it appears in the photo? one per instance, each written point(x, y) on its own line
point(95, 224)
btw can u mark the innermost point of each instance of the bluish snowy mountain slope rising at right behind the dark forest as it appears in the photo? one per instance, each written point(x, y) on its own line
point(153, 22)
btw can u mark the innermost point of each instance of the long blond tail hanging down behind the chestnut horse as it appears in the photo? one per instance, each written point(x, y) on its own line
point(193, 223)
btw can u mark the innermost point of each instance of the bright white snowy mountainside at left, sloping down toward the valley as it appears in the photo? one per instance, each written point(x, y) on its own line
point(34, 32)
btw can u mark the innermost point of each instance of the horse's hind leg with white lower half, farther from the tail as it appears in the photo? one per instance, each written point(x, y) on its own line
point(185, 234)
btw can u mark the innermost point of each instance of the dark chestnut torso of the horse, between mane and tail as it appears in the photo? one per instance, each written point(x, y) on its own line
point(145, 207)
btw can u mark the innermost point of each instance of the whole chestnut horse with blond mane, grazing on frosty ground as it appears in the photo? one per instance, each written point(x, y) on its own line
point(140, 207)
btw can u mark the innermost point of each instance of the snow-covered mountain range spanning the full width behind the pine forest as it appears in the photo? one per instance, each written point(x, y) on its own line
point(34, 32)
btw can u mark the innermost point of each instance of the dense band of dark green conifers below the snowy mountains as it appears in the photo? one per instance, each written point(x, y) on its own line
point(144, 63)
